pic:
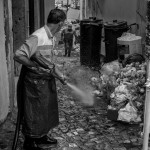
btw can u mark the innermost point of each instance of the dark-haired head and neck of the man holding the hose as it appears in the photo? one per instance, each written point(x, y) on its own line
point(56, 18)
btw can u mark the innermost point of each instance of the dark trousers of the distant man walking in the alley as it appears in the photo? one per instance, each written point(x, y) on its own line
point(68, 46)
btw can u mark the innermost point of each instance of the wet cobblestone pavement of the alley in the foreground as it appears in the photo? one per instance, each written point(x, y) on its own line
point(81, 128)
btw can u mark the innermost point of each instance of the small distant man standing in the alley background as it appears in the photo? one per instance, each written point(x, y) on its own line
point(67, 37)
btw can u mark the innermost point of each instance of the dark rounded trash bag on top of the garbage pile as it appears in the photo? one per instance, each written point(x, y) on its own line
point(133, 58)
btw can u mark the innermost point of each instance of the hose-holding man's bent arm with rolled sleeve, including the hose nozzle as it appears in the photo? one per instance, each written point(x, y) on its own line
point(24, 53)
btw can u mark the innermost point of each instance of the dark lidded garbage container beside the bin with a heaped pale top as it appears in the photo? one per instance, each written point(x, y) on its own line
point(112, 31)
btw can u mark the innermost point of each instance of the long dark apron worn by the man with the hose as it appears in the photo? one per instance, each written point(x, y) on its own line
point(40, 106)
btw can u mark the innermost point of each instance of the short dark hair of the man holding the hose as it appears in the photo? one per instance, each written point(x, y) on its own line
point(55, 16)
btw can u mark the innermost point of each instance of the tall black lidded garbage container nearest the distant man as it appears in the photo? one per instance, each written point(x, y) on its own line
point(90, 41)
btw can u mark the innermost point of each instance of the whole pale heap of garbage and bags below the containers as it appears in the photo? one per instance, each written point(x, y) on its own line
point(124, 89)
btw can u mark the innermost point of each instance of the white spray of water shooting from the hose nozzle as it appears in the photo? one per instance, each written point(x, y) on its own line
point(84, 96)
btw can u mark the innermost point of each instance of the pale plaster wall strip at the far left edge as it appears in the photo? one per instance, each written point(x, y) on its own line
point(4, 85)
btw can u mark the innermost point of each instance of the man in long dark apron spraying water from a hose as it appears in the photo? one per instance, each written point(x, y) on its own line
point(36, 89)
